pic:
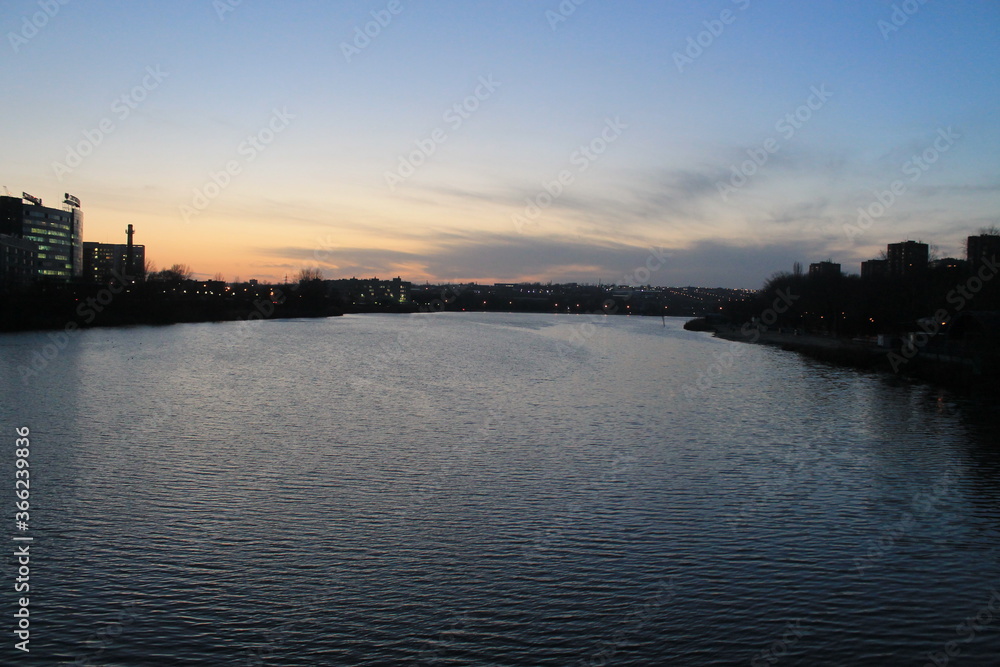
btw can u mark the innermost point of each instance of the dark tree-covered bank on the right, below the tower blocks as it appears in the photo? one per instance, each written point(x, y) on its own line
point(938, 323)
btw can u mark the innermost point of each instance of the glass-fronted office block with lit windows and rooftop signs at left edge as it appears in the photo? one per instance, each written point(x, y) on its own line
point(56, 235)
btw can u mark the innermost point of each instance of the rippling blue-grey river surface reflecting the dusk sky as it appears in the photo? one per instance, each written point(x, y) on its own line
point(497, 489)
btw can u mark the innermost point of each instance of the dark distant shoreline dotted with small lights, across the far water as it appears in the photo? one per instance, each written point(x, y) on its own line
point(127, 302)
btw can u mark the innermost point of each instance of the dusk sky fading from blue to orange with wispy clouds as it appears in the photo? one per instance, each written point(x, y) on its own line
point(666, 143)
